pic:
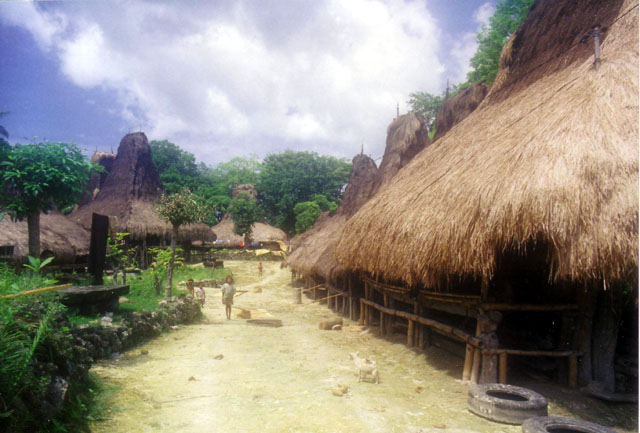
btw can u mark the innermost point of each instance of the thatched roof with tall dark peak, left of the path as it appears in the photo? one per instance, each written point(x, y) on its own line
point(130, 193)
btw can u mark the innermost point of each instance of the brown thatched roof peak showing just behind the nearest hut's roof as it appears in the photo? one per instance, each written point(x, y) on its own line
point(455, 109)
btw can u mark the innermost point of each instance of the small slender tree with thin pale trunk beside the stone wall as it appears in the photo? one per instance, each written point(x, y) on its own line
point(178, 209)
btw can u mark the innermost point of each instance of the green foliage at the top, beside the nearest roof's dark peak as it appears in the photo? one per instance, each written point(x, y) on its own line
point(506, 19)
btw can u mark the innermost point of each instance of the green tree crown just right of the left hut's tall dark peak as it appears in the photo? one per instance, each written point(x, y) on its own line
point(177, 168)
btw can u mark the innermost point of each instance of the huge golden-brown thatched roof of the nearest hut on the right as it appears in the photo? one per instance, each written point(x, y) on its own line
point(550, 157)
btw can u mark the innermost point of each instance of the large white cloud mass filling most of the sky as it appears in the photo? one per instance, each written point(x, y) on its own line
point(236, 78)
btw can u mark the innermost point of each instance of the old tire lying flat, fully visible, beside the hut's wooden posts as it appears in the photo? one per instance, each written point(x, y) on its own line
point(506, 403)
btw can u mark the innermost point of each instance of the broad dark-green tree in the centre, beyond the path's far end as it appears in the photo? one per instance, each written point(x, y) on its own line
point(292, 177)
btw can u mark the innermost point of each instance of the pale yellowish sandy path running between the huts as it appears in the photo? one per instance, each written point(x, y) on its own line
point(229, 376)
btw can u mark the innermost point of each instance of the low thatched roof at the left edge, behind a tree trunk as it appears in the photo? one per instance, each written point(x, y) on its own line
point(63, 238)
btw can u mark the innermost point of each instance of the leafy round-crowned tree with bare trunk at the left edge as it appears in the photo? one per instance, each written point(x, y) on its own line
point(40, 177)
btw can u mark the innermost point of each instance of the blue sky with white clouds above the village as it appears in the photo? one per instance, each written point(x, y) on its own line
point(227, 78)
